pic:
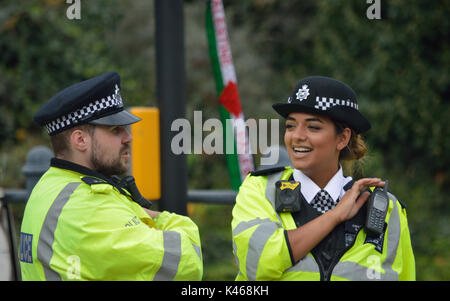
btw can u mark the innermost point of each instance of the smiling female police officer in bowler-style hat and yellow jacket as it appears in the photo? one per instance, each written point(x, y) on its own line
point(309, 222)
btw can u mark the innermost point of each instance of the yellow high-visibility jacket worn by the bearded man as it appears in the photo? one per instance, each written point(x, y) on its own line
point(75, 231)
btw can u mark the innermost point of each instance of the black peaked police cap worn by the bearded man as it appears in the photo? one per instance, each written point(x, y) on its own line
point(95, 101)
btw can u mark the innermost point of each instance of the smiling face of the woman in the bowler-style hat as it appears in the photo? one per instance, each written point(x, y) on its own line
point(313, 144)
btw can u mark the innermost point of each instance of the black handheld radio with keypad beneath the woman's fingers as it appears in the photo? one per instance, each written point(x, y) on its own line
point(377, 208)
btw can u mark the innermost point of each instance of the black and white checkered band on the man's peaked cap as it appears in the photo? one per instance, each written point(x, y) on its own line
point(95, 107)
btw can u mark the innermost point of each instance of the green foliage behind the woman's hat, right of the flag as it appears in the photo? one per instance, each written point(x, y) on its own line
point(397, 65)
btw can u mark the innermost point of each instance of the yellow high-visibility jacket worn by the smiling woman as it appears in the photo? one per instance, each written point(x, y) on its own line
point(262, 250)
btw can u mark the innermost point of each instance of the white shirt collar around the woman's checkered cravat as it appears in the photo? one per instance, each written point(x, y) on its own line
point(335, 187)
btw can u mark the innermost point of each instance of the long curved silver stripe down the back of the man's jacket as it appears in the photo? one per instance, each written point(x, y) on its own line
point(47, 235)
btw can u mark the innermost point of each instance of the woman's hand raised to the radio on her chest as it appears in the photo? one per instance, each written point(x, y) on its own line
point(351, 203)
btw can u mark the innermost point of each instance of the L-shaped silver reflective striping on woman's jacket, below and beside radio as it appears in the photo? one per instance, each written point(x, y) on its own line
point(354, 271)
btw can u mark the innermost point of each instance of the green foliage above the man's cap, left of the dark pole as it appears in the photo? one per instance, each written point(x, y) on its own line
point(42, 51)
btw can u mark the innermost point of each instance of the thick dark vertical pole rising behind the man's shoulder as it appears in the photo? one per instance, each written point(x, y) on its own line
point(170, 82)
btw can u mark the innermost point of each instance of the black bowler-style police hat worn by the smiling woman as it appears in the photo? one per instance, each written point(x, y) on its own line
point(325, 96)
